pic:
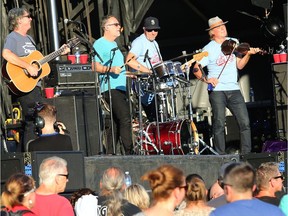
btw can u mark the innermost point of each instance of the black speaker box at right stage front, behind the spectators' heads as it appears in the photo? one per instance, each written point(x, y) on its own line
point(255, 159)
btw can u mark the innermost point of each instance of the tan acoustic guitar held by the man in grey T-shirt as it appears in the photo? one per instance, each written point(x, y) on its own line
point(19, 80)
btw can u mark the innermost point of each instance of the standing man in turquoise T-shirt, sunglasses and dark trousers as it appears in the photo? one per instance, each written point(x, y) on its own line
point(111, 66)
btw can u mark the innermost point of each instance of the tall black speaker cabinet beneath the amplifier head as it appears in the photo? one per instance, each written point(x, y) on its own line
point(79, 114)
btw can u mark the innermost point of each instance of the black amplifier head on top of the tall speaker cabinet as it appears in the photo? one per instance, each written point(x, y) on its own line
point(69, 76)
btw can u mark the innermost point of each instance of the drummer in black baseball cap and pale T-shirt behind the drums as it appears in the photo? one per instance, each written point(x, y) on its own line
point(144, 49)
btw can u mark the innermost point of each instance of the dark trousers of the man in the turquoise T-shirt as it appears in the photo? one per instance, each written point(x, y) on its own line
point(122, 121)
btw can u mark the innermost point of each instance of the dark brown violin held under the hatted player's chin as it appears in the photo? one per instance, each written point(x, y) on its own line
point(230, 46)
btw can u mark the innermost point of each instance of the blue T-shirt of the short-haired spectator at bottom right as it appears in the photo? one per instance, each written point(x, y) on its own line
point(252, 207)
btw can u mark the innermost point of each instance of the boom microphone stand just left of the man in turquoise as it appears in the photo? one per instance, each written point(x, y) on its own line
point(97, 88)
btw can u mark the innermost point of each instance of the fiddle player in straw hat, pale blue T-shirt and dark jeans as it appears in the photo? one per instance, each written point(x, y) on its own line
point(225, 88)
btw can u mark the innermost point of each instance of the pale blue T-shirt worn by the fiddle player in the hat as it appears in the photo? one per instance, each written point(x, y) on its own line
point(215, 62)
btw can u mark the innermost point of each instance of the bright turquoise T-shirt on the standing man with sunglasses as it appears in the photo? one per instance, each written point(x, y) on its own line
point(103, 48)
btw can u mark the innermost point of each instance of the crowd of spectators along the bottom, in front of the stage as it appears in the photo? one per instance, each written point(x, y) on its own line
point(172, 192)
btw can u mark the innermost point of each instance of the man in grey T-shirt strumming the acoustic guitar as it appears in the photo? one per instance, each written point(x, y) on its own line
point(18, 44)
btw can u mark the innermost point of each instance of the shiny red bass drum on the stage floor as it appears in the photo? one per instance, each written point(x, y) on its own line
point(176, 138)
